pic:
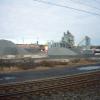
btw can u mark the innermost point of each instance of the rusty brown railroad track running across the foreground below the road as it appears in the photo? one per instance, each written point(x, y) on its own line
point(50, 85)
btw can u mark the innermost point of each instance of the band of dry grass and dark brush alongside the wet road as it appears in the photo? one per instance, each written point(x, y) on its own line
point(27, 65)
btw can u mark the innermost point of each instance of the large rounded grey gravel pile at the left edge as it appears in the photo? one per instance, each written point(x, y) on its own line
point(9, 48)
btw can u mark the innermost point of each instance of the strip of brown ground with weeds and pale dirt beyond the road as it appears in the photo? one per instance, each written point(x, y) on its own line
point(42, 64)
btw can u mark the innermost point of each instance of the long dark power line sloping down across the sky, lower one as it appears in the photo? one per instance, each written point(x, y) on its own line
point(58, 5)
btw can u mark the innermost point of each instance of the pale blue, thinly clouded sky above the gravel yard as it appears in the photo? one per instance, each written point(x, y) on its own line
point(26, 21)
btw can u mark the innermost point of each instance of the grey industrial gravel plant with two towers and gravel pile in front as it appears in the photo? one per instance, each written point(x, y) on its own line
point(66, 46)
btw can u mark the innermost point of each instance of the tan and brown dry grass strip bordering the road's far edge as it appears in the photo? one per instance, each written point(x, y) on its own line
point(44, 65)
